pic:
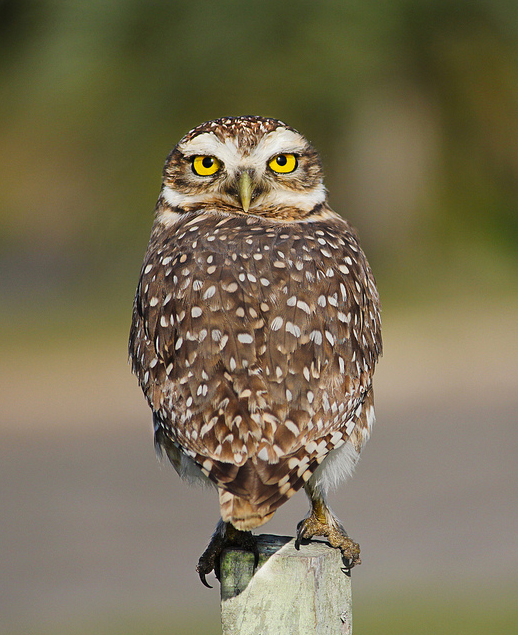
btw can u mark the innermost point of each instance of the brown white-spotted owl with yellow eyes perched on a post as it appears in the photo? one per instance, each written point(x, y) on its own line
point(256, 329)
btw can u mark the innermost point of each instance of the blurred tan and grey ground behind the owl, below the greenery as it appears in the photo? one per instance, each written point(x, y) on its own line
point(91, 525)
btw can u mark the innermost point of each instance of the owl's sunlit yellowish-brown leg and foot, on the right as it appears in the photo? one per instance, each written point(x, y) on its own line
point(322, 522)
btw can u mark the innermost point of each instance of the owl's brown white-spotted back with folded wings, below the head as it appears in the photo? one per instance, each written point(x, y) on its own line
point(254, 323)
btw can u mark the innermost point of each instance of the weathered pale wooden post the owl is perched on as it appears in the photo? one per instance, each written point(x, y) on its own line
point(306, 591)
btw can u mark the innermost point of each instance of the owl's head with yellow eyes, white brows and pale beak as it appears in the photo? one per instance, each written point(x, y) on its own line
point(244, 165)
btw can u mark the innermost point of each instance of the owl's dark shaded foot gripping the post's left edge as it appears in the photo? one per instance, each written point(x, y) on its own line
point(226, 535)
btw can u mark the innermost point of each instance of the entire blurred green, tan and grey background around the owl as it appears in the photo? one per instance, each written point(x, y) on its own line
point(413, 105)
